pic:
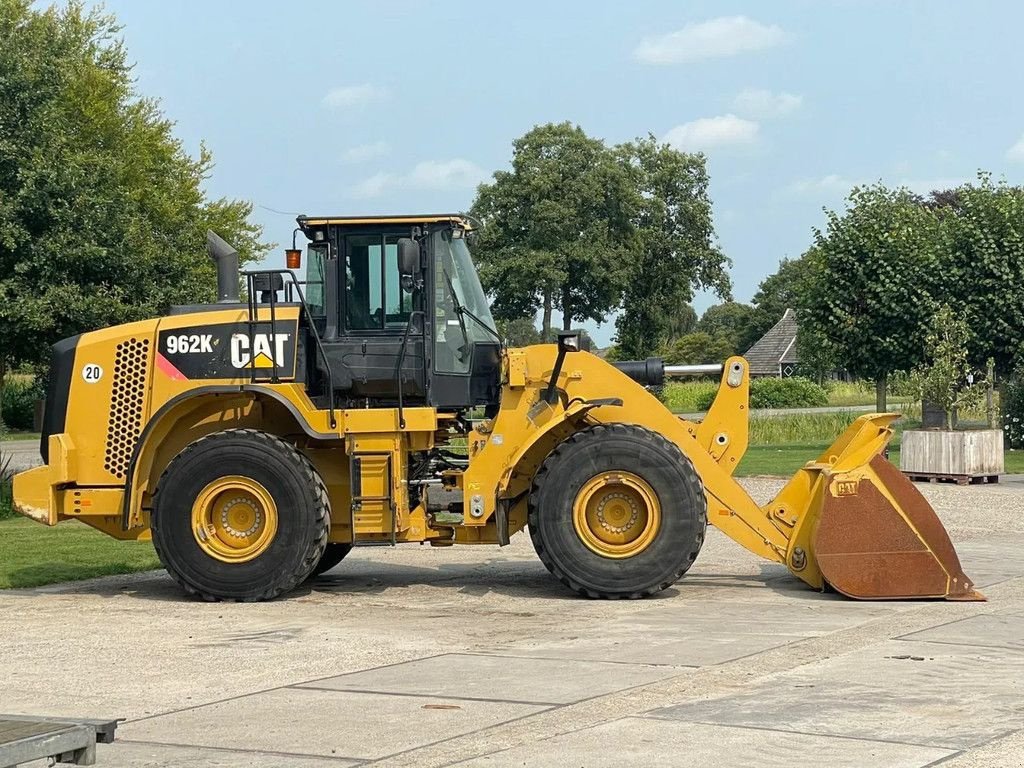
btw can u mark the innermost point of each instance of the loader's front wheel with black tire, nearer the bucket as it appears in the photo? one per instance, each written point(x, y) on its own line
point(617, 511)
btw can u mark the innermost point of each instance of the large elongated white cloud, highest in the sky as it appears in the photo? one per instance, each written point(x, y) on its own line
point(716, 38)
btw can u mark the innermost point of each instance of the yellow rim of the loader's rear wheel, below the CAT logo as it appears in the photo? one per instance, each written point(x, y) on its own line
point(235, 520)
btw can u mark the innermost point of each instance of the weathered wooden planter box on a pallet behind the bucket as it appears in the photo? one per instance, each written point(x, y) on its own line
point(964, 456)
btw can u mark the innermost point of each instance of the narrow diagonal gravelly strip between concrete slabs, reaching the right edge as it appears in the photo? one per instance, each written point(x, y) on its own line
point(713, 681)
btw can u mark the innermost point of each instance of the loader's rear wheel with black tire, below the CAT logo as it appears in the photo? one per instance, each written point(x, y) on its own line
point(240, 516)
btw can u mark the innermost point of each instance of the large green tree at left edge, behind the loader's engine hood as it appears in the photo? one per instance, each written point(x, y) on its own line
point(103, 216)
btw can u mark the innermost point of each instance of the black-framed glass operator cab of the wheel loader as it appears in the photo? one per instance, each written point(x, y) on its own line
point(401, 312)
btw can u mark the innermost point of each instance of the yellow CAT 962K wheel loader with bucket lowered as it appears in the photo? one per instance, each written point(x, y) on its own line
point(259, 441)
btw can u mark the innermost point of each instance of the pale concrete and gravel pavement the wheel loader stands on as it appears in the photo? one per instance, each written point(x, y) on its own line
point(419, 657)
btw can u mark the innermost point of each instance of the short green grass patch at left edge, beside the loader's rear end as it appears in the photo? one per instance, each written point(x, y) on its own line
point(32, 556)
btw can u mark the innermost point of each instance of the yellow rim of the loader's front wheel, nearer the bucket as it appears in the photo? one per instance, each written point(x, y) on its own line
point(617, 515)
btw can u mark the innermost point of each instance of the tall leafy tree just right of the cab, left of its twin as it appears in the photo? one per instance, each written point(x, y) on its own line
point(557, 229)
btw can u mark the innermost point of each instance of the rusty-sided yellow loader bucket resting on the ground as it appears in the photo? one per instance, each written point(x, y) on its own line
point(867, 532)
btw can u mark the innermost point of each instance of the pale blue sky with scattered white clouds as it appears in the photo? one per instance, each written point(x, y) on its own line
point(404, 107)
